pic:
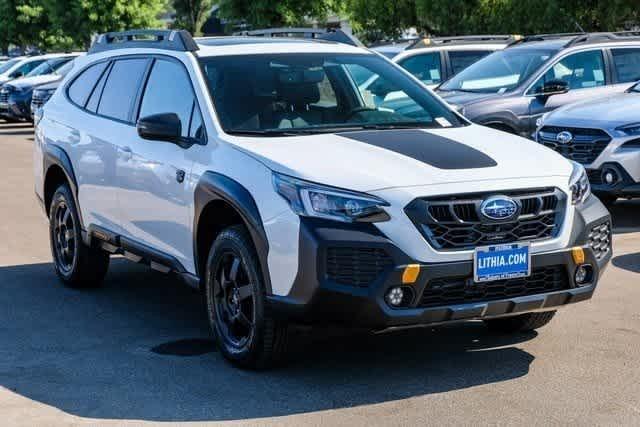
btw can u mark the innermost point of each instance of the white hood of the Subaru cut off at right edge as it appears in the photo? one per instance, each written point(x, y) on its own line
point(606, 112)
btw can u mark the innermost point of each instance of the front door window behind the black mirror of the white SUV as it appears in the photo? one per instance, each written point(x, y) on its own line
point(169, 91)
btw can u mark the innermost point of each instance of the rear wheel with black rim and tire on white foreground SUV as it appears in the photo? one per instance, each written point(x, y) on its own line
point(76, 264)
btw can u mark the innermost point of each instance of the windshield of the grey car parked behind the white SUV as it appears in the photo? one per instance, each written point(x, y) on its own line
point(499, 72)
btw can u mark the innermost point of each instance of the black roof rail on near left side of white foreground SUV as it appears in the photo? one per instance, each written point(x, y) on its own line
point(178, 40)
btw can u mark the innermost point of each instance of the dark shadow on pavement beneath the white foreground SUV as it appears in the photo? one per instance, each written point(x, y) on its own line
point(89, 353)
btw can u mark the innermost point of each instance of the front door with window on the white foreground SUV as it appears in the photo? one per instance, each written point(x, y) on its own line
point(156, 193)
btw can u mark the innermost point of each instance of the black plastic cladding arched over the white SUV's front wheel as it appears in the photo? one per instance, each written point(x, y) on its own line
point(217, 187)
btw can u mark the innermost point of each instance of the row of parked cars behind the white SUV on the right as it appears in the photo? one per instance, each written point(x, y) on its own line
point(577, 94)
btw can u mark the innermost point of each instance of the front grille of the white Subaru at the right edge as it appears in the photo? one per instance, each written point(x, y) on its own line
point(585, 147)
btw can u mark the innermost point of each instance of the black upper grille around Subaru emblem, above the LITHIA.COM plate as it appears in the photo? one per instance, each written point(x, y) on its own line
point(455, 222)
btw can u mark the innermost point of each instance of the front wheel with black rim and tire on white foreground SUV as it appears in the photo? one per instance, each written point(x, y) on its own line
point(234, 284)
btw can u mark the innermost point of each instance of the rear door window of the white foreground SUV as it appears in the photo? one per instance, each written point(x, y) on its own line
point(121, 88)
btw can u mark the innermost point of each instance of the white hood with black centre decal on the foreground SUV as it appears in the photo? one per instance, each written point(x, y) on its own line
point(375, 160)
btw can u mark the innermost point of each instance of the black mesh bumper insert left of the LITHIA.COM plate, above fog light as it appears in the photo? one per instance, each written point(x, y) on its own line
point(358, 267)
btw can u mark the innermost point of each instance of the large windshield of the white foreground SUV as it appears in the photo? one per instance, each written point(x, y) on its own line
point(284, 94)
